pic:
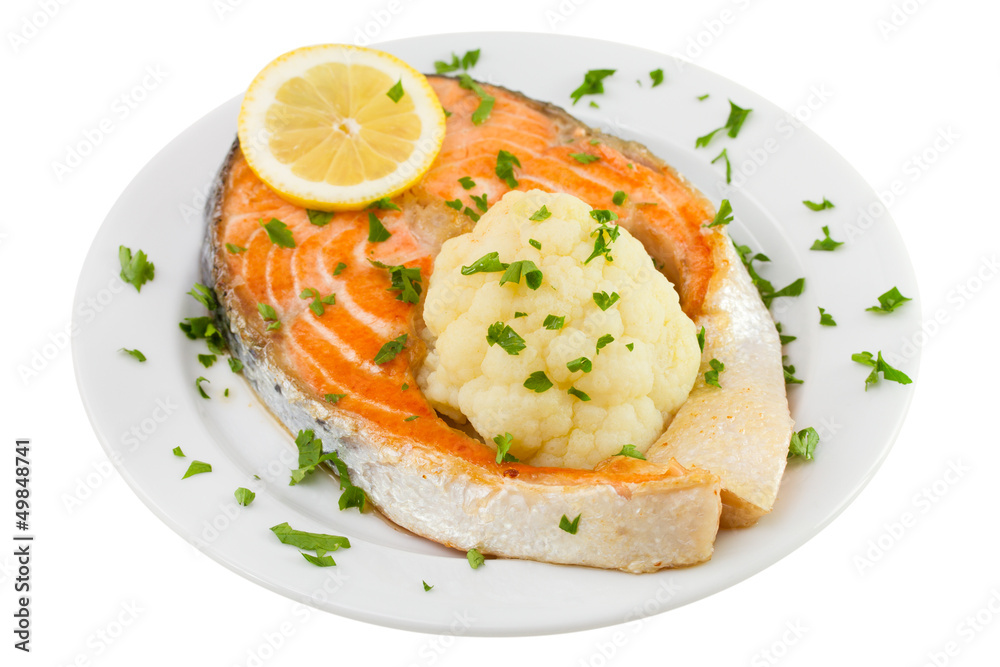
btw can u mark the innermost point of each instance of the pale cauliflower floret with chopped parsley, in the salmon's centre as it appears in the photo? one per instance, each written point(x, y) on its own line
point(635, 382)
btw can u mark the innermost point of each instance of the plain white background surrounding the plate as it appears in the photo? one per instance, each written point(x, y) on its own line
point(108, 558)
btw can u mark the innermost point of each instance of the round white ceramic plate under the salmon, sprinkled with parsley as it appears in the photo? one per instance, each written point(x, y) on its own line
point(142, 411)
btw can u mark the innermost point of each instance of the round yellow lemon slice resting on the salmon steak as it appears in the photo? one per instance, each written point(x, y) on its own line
point(322, 126)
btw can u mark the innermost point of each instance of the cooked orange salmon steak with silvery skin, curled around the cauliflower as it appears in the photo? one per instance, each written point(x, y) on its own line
point(432, 478)
